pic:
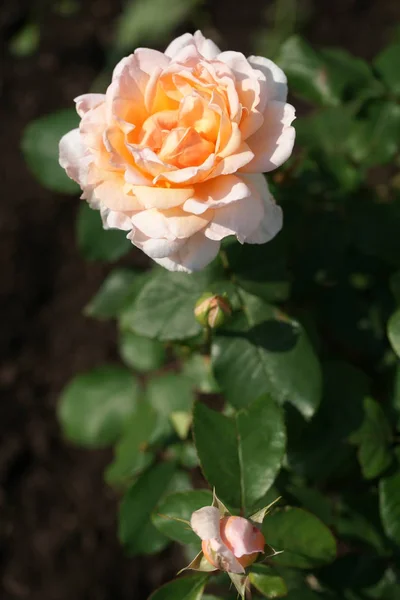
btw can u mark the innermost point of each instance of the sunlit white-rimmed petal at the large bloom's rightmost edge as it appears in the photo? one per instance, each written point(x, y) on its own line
point(273, 143)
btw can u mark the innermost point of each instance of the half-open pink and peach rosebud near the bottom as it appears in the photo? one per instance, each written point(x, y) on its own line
point(228, 543)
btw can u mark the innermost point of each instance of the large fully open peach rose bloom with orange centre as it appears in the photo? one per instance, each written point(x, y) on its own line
point(173, 152)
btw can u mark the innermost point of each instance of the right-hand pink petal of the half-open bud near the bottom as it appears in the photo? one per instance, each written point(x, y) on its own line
point(241, 536)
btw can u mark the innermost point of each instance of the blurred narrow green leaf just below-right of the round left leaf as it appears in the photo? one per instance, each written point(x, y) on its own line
point(131, 454)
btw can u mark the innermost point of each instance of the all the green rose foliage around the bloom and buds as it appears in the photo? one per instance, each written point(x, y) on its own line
point(297, 395)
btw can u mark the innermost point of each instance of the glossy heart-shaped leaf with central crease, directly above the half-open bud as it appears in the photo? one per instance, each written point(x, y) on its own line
point(240, 456)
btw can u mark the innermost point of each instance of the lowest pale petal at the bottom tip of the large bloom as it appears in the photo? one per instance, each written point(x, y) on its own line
point(196, 254)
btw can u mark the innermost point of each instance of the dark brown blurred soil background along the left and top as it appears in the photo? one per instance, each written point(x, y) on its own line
point(57, 517)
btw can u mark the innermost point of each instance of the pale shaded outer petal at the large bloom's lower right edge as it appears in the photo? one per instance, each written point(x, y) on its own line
point(272, 221)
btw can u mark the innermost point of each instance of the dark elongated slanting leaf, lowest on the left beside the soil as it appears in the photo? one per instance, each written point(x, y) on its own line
point(140, 500)
